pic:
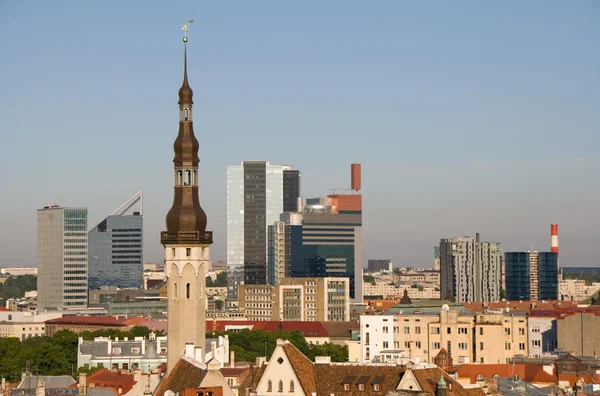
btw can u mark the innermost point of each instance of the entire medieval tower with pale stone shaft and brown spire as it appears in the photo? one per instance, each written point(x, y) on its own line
point(186, 240)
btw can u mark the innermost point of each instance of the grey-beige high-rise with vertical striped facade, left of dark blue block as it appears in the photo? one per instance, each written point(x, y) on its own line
point(470, 269)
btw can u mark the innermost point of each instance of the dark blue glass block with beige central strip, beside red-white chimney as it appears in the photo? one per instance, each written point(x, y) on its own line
point(531, 276)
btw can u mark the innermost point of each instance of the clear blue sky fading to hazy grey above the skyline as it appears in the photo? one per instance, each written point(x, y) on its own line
point(467, 116)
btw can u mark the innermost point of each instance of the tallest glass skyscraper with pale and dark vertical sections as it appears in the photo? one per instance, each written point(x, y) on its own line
point(257, 194)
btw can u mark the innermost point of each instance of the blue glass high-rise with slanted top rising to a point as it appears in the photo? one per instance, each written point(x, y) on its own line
point(116, 248)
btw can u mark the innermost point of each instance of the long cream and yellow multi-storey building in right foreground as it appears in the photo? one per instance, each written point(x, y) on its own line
point(416, 335)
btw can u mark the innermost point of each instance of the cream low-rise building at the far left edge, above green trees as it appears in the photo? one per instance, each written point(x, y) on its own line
point(24, 325)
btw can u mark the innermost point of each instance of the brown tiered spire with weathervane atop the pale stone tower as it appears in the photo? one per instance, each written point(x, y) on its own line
point(186, 219)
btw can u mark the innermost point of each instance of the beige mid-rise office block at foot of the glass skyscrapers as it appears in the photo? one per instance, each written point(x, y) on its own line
point(297, 299)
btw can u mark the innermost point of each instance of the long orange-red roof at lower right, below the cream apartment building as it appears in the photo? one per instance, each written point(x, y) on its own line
point(527, 372)
